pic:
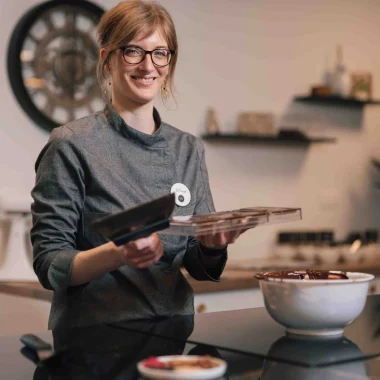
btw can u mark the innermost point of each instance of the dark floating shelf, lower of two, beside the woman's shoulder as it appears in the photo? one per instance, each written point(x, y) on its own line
point(278, 140)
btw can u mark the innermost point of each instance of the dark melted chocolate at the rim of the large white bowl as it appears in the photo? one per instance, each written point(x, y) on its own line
point(307, 274)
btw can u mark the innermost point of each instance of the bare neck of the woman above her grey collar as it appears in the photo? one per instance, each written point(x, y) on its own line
point(138, 117)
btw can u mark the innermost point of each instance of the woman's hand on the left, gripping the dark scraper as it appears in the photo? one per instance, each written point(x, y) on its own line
point(141, 253)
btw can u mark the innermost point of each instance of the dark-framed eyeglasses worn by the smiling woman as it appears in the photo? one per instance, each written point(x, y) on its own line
point(134, 55)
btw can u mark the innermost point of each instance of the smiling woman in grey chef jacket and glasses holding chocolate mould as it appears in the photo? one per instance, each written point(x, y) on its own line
point(114, 160)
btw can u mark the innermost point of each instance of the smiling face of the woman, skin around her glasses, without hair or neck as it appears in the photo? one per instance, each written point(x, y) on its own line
point(138, 83)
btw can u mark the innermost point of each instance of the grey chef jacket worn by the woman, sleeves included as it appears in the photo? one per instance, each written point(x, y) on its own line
point(99, 165)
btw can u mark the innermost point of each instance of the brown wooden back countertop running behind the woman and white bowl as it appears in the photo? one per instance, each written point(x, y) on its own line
point(235, 277)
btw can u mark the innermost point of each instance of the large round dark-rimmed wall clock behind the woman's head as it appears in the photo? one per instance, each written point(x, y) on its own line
point(52, 60)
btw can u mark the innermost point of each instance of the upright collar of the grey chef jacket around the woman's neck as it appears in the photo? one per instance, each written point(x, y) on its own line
point(127, 131)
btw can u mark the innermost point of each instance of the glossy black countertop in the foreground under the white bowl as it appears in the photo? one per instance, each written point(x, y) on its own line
point(253, 345)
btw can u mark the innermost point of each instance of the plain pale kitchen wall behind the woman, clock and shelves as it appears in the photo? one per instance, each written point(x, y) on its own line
point(278, 50)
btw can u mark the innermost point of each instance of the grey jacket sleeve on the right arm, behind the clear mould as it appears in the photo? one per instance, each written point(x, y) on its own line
point(192, 259)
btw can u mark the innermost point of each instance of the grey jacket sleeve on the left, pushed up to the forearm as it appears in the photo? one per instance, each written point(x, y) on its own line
point(58, 200)
